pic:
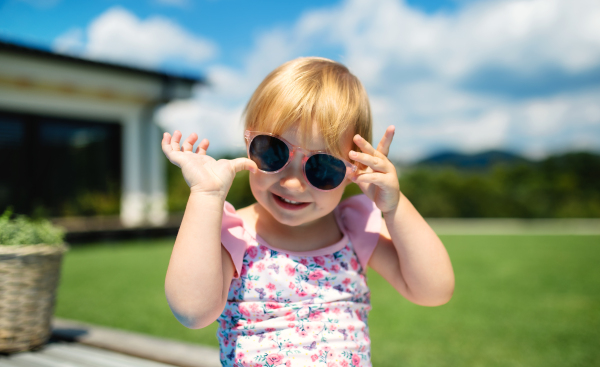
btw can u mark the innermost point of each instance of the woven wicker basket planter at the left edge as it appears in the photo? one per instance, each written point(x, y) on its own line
point(28, 280)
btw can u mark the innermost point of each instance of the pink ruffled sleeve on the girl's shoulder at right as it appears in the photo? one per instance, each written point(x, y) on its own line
point(361, 221)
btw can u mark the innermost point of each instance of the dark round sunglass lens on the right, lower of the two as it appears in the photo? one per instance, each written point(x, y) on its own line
point(324, 171)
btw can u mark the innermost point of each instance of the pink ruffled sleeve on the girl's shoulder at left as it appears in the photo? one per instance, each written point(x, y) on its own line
point(234, 237)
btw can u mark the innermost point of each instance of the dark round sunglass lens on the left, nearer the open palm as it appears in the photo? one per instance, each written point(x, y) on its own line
point(269, 153)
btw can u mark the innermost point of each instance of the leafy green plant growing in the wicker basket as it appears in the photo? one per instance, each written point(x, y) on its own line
point(25, 231)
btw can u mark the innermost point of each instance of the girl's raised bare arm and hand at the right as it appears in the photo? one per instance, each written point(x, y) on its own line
point(409, 255)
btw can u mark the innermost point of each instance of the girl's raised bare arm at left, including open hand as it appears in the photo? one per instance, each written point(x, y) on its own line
point(200, 269)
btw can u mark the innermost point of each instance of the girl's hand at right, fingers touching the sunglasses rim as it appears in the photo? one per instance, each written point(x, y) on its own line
point(377, 176)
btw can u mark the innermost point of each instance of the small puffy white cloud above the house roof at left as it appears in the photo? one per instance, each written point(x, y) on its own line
point(118, 35)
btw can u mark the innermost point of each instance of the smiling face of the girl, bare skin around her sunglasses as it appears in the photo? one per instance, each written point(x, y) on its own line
point(269, 189)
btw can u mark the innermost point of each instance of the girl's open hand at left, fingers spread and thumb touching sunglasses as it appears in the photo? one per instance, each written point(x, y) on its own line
point(202, 173)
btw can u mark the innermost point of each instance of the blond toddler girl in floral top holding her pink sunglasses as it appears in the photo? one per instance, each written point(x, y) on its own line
point(286, 277)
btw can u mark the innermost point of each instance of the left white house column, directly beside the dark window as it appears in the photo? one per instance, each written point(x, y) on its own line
point(133, 197)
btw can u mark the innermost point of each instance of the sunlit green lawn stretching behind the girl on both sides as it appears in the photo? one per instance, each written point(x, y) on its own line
point(519, 301)
